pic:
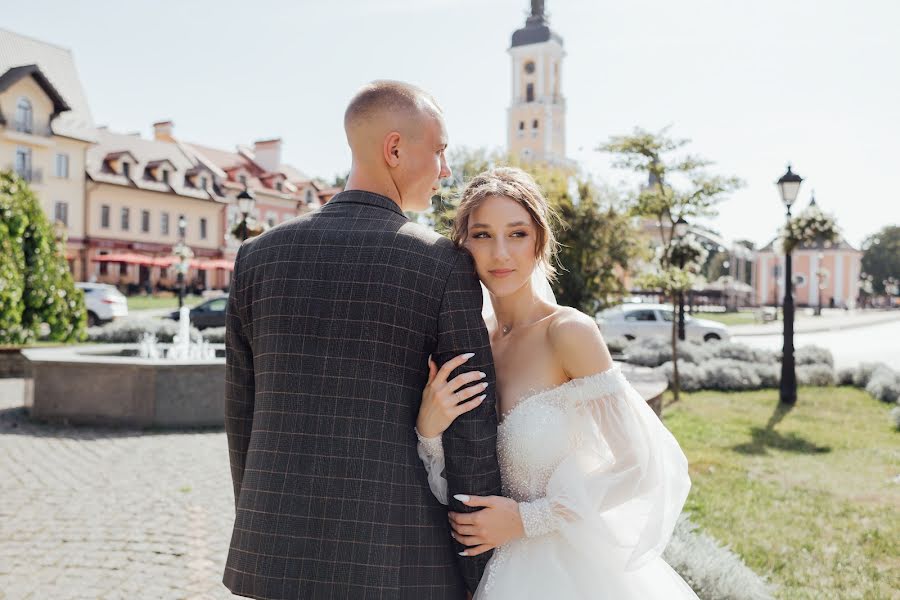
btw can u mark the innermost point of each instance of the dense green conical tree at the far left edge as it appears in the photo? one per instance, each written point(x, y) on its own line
point(36, 287)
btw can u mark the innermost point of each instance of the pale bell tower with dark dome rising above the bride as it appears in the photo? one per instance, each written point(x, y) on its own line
point(537, 113)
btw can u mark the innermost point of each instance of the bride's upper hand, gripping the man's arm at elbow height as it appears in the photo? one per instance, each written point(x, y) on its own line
point(443, 401)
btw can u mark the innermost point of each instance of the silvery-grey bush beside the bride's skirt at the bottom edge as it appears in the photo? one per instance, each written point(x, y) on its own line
point(713, 571)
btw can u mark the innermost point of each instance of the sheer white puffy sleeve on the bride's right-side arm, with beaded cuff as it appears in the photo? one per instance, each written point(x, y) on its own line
point(619, 492)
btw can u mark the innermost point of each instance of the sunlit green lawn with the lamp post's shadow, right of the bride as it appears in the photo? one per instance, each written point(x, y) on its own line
point(807, 497)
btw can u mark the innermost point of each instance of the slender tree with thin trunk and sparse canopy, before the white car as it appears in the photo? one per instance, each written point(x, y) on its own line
point(678, 188)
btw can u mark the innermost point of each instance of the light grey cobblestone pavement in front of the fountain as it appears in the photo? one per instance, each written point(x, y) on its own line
point(106, 513)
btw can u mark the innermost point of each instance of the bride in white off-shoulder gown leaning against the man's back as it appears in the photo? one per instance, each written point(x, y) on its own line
point(592, 481)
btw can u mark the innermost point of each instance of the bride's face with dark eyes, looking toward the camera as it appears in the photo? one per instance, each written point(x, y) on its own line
point(502, 239)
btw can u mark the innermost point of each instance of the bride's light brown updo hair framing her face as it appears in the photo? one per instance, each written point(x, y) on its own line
point(519, 186)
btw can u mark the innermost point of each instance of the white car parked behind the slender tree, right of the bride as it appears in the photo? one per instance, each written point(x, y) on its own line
point(641, 321)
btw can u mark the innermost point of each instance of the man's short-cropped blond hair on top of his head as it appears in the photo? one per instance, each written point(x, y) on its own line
point(385, 97)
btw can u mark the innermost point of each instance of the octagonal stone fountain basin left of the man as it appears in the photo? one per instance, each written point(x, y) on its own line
point(109, 384)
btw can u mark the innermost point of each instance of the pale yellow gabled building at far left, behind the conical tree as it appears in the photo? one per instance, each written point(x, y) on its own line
point(45, 131)
